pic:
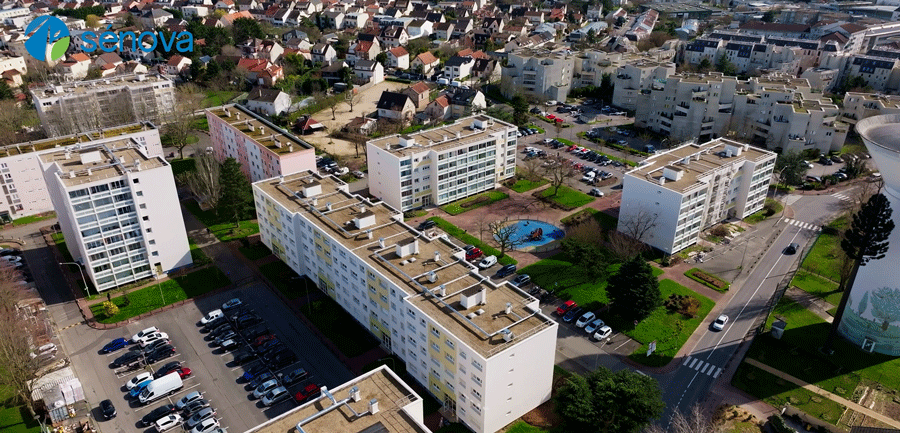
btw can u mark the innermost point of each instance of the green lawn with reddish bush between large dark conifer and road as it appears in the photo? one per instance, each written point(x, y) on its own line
point(670, 330)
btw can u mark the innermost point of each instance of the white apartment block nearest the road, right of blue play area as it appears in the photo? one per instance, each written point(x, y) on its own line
point(692, 187)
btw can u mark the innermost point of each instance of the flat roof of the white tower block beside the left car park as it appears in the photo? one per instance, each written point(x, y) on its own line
point(79, 165)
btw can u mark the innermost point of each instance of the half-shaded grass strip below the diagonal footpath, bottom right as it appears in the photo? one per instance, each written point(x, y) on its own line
point(779, 392)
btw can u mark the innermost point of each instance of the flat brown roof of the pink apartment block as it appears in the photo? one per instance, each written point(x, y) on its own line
point(271, 137)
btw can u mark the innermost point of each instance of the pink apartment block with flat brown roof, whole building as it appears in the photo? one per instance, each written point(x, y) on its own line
point(263, 149)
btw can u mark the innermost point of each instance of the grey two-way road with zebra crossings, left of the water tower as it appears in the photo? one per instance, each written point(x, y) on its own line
point(698, 371)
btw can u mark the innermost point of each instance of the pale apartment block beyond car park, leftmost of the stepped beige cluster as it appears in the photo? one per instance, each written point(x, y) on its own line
point(538, 72)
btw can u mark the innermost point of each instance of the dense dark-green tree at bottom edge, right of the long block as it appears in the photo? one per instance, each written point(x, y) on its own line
point(607, 402)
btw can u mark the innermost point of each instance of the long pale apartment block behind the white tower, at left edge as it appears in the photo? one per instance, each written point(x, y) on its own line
point(20, 169)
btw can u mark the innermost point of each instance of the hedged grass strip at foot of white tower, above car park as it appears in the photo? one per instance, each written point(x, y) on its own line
point(149, 299)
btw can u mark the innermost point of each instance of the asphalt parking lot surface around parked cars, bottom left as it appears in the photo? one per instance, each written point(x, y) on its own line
point(213, 372)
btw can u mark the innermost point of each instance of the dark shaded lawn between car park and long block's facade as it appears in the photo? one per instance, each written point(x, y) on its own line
point(336, 324)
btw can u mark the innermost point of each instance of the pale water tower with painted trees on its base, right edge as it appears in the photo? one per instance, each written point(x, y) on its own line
point(872, 316)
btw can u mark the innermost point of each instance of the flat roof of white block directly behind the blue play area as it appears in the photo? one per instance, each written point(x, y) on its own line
point(459, 133)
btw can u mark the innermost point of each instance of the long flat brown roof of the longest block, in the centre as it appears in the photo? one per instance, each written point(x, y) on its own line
point(434, 277)
